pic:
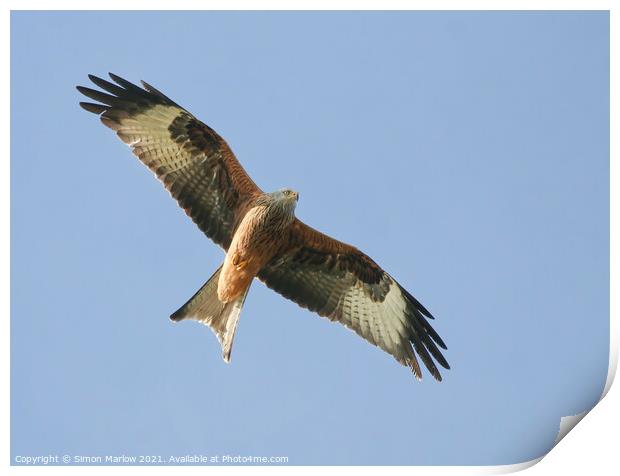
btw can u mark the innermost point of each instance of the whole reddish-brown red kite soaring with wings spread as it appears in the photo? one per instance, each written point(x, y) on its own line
point(260, 234)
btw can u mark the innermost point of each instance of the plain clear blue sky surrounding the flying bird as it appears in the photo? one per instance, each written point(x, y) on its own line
point(467, 153)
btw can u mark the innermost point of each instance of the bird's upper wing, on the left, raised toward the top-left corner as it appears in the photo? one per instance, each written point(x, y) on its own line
point(194, 163)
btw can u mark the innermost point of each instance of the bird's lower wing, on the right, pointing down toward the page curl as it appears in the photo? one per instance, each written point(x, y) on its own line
point(341, 283)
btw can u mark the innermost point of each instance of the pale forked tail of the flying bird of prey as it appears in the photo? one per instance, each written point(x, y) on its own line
point(222, 318)
